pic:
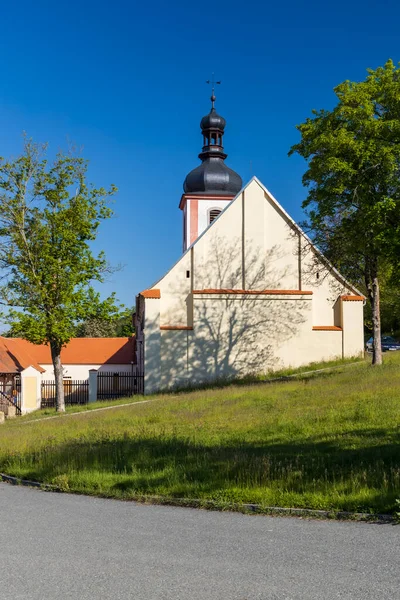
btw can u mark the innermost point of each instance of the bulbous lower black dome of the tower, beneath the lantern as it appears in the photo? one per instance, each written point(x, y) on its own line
point(213, 177)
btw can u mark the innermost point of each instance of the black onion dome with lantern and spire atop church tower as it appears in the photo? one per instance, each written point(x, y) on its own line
point(213, 176)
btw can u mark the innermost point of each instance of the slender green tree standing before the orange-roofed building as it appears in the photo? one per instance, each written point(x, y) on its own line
point(49, 215)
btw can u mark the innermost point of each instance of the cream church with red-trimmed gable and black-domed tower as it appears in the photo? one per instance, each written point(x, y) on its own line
point(250, 294)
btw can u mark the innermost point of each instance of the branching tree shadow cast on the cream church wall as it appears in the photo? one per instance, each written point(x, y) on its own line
point(233, 334)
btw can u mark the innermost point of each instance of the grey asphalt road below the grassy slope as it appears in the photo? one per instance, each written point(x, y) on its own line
point(59, 546)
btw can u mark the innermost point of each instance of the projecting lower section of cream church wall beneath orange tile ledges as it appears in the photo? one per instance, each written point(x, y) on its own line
point(236, 335)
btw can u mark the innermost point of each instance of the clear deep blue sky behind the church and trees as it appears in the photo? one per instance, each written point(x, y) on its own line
point(126, 81)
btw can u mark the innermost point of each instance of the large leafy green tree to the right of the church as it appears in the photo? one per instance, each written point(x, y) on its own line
point(353, 202)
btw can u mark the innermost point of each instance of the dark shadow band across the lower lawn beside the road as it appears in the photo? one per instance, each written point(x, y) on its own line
point(331, 471)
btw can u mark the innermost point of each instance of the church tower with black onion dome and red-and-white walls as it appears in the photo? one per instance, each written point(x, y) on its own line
point(212, 185)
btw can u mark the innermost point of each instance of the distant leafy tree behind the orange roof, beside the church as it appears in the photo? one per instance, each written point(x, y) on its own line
point(118, 325)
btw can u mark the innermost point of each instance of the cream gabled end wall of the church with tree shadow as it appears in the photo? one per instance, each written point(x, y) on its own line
point(253, 245)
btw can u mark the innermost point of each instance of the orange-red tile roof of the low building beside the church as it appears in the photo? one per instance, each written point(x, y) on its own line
point(82, 351)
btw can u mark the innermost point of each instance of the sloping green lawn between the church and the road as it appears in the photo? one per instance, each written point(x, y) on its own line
point(329, 442)
